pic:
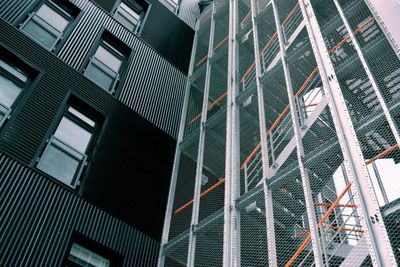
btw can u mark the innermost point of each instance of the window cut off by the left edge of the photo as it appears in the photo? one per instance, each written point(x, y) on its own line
point(14, 79)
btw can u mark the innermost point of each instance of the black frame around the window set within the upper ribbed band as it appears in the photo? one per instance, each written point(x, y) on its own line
point(121, 47)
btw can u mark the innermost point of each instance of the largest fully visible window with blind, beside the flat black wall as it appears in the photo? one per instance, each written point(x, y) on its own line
point(68, 149)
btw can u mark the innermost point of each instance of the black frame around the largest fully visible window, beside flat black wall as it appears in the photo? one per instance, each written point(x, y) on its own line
point(90, 152)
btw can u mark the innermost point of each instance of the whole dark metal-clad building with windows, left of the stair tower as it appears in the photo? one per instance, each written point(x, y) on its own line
point(91, 94)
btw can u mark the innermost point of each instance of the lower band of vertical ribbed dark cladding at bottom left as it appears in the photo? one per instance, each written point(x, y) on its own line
point(37, 218)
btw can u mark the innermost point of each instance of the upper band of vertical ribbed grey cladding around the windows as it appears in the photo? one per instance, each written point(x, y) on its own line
point(154, 88)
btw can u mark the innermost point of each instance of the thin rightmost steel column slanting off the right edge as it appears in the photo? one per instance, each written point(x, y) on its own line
point(371, 78)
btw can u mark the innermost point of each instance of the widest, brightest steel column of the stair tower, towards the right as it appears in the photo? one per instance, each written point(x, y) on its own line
point(380, 249)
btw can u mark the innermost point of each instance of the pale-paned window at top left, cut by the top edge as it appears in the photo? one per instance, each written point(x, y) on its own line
point(48, 24)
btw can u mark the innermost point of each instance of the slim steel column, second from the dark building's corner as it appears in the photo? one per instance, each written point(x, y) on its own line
point(200, 152)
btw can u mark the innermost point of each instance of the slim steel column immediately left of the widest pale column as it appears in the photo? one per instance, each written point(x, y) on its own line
point(312, 221)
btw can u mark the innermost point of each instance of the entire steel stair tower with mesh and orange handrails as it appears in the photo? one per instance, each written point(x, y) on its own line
point(288, 106)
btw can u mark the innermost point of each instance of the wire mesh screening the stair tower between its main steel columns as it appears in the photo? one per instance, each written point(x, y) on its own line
point(307, 194)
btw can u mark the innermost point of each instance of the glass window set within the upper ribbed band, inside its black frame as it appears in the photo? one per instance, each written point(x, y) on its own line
point(106, 64)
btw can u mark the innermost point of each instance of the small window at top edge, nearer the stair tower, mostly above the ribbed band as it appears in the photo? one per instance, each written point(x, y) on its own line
point(131, 14)
